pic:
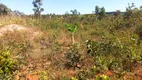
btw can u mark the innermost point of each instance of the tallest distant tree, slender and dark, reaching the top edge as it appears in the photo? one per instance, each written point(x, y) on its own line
point(37, 7)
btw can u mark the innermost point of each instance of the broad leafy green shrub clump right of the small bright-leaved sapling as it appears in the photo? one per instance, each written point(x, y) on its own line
point(114, 54)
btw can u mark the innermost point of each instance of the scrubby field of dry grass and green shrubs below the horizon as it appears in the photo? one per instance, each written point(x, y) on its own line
point(104, 49)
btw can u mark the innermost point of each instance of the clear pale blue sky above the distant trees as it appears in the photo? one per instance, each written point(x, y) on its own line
point(62, 6)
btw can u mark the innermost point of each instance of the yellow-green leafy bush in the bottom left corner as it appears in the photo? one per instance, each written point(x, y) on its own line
point(8, 65)
